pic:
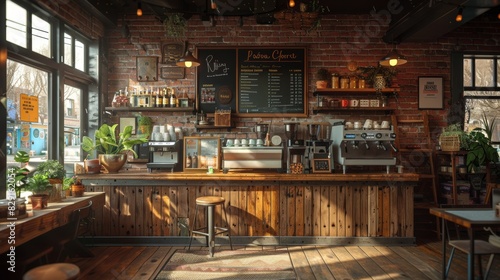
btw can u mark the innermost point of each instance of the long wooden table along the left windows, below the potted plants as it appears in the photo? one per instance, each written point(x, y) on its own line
point(42, 221)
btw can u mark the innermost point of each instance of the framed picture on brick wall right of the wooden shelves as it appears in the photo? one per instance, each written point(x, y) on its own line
point(430, 93)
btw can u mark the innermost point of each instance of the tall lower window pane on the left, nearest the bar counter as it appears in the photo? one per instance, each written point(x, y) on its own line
point(71, 126)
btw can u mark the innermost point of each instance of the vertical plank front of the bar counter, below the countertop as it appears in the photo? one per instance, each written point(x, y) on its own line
point(256, 209)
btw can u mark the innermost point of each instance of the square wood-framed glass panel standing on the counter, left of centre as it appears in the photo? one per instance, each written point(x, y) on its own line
point(207, 151)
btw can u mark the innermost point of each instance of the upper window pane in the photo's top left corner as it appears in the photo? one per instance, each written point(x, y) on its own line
point(16, 29)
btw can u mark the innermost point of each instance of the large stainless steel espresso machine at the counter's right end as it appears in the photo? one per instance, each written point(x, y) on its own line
point(363, 146)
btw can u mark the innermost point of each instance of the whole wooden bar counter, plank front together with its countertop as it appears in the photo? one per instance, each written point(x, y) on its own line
point(259, 204)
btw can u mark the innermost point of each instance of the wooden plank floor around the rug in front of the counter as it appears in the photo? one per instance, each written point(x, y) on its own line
point(310, 262)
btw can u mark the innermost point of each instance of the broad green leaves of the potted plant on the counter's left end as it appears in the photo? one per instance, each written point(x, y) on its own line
point(106, 140)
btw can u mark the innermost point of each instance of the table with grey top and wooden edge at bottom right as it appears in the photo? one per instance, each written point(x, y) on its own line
point(470, 218)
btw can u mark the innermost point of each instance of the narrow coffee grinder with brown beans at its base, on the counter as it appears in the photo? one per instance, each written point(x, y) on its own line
point(295, 149)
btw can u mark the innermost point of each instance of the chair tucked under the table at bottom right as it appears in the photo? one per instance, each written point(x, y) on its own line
point(481, 247)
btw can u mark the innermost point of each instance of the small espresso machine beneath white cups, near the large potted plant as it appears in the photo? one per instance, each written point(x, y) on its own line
point(165, 155)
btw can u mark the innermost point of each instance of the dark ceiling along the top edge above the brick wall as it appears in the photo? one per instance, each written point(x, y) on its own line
point(410, 20)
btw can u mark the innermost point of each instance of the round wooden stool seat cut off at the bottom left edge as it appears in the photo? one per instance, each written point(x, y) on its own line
point(55, 271)
